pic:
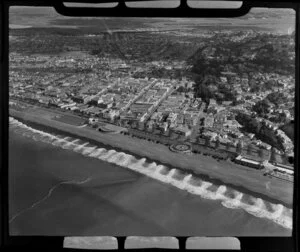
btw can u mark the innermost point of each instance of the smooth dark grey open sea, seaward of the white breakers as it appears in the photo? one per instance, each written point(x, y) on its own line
point(114, 193)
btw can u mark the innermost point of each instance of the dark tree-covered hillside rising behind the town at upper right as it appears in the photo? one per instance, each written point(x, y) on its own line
point(229, 56)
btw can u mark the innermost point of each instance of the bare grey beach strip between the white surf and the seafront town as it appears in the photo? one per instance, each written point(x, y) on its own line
point(237, 177)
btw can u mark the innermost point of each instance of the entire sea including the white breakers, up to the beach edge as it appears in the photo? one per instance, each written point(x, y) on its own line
point(59, 185)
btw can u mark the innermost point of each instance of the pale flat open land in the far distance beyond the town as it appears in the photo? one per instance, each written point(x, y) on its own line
point(273, 19)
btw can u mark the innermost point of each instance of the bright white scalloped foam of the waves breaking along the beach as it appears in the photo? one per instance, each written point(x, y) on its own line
point(257, 208)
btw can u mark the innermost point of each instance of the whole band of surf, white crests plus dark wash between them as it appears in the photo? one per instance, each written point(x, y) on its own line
point(228, 197)
